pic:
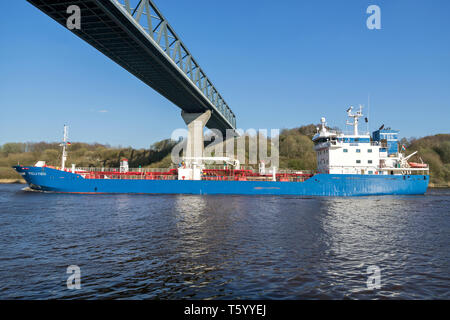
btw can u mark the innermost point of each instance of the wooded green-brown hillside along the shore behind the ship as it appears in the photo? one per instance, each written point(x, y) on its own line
point(296, 152)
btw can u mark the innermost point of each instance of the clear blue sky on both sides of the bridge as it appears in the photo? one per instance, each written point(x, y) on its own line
point(278, 64)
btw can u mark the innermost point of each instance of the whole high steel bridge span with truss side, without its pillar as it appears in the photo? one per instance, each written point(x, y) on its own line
point(136, 35)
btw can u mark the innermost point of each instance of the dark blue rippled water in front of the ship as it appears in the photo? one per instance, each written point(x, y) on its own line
point(223, 247)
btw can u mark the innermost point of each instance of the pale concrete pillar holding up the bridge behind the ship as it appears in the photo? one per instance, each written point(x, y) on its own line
point(196, 122)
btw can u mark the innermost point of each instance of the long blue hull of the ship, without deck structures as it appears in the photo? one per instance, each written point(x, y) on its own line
point(48, 179)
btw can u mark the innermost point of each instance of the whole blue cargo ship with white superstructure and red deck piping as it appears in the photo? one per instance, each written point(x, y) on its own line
point(351, 164)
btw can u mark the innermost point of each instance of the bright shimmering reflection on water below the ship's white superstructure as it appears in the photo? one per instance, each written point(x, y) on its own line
point(364, 232)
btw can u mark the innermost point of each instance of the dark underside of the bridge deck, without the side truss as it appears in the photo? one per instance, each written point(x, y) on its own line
point(107, 29)
